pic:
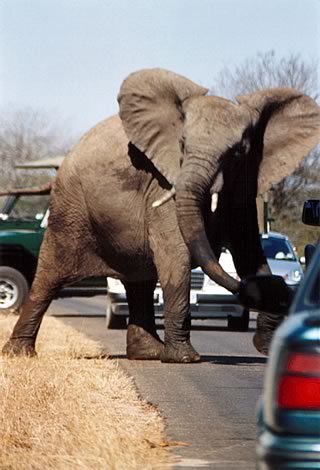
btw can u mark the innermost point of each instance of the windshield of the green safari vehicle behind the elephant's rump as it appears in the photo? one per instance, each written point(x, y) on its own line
point(26, 207)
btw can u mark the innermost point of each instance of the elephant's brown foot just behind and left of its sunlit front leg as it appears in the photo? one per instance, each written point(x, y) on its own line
point(142, 345)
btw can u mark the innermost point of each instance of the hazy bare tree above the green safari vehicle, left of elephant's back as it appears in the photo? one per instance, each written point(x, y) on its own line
point(27, 135)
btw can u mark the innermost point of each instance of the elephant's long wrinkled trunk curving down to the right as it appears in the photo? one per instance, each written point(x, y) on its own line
point(198, 175)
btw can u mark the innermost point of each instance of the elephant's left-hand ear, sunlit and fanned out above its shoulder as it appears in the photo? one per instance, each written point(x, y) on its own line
point(151, 109)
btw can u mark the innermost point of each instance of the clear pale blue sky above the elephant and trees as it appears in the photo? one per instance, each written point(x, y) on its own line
point(69, 57)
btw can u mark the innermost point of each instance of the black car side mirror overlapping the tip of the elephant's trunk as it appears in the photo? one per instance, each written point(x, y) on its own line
point(265, 293)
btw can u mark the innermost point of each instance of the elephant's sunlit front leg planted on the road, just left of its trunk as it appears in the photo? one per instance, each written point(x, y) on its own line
point(172, 259)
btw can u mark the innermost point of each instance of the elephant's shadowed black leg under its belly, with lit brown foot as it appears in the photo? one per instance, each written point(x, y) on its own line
point(143, 342)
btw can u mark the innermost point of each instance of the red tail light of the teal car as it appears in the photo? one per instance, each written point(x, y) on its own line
point(299, 384)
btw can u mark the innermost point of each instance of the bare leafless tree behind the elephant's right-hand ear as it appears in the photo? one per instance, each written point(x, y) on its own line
point(267, 71)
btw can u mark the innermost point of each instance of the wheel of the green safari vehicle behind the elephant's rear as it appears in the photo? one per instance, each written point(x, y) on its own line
point(14, 289)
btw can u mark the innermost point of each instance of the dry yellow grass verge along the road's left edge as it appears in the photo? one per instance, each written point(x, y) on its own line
point(71, 408)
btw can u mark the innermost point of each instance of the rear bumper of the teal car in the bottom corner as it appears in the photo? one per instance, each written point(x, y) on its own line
point(277, 452)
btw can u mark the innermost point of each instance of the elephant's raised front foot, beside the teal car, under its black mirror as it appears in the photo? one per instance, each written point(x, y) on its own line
point(266, 326)
